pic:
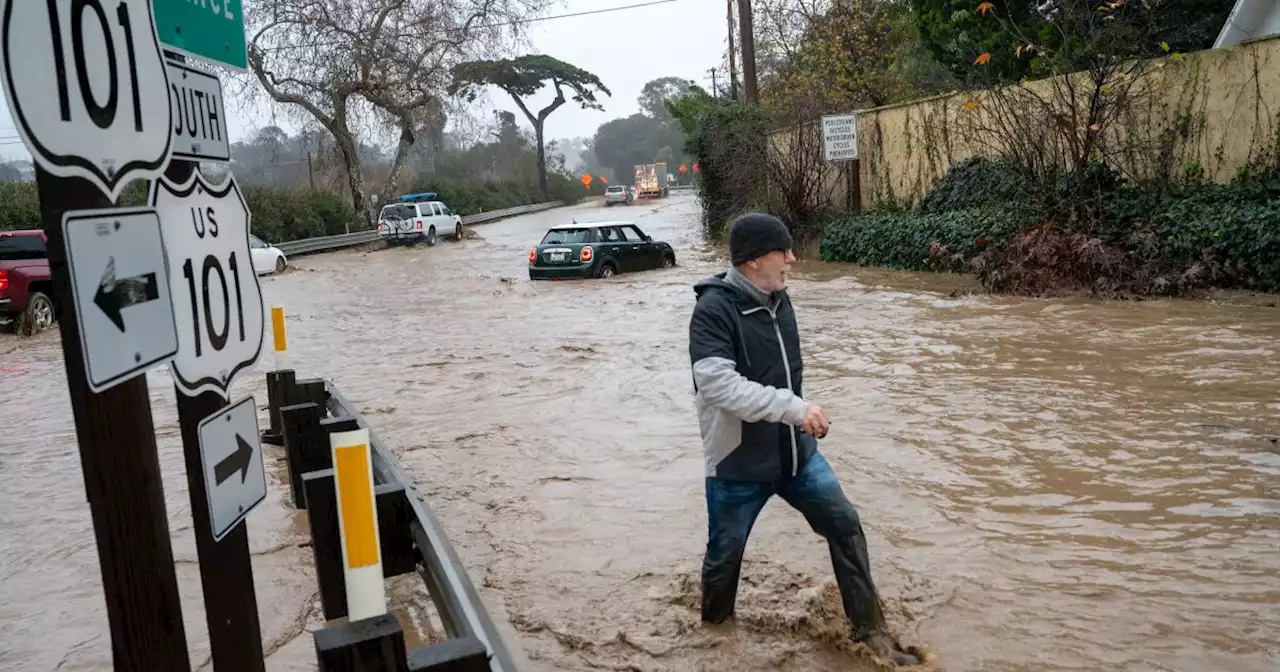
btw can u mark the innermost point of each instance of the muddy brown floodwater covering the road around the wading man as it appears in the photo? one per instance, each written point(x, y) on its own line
point(1046, 484)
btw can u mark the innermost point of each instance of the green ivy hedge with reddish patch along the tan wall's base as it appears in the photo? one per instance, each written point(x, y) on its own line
point(1094, 231)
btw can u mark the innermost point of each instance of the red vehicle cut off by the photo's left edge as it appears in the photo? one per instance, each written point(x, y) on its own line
point(26, 287)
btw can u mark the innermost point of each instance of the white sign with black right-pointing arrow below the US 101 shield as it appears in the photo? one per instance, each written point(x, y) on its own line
point(232, 460)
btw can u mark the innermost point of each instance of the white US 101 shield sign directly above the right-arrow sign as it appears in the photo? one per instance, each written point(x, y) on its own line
point(216, 292)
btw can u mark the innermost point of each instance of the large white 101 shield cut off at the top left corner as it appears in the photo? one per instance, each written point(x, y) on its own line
point(88, 89)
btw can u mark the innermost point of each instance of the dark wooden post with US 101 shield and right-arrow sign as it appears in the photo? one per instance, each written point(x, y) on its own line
point(220, 322)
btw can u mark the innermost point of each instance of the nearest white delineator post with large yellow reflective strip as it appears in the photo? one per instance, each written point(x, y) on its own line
point(358, 524)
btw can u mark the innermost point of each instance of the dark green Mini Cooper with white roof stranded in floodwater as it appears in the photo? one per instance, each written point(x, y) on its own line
point(597, 250)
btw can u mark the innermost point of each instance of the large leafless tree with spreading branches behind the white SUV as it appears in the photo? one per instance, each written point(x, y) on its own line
point(376, 62)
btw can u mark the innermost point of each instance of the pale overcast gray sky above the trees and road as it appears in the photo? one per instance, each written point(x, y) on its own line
point(625, 49)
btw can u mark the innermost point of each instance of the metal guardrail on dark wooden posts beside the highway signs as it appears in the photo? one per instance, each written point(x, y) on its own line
point(304, 414)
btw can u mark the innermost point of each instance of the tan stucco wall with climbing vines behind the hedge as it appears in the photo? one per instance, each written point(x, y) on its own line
point(1210, 112)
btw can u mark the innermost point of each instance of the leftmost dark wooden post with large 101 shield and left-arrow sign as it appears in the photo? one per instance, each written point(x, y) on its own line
point(89, 97)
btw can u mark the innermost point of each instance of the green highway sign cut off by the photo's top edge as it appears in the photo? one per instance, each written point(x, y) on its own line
point(208, 30)
